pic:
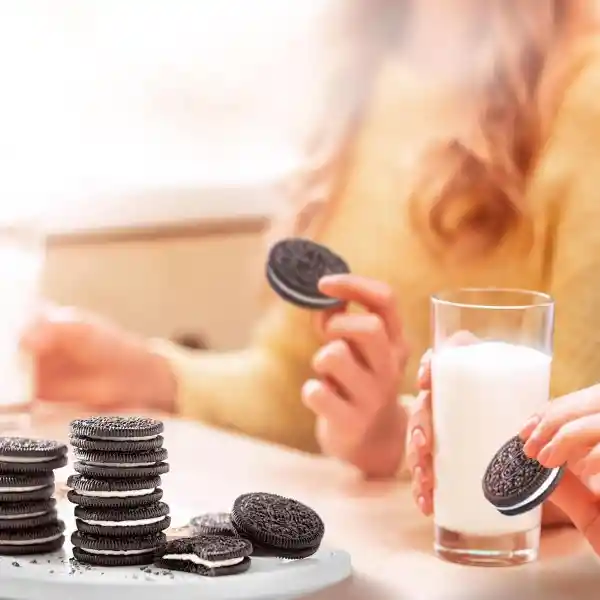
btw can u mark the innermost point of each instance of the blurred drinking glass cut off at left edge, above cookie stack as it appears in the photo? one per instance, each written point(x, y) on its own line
point(21, 261)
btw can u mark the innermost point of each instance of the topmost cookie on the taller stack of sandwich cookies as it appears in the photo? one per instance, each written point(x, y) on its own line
point(117, 429)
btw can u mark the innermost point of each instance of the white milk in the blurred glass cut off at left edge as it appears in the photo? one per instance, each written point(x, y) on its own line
point(19, 277)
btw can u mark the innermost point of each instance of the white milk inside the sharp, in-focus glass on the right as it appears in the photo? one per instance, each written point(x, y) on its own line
point(482, 395)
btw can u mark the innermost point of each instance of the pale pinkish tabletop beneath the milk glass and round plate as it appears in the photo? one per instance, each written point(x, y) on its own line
point(390, 542)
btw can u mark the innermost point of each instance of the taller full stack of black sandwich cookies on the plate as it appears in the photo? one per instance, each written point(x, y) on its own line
point(119, 516)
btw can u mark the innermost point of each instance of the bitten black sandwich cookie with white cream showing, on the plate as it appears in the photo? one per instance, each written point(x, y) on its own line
point(207, 555)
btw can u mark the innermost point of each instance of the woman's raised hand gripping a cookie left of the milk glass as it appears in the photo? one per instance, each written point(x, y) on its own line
point(358, 371)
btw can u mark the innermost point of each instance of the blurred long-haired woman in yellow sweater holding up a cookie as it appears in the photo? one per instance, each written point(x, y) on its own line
point(469, 156)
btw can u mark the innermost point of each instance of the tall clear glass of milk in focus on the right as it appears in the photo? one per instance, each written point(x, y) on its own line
point(492, 353)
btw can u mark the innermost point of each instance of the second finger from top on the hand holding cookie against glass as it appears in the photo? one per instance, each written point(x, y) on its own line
point(570, 441)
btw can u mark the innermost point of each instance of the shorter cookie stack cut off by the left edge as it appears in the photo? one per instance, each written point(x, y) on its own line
point(29, 522)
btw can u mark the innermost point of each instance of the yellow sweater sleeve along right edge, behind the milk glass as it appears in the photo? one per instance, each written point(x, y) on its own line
point(575, 274)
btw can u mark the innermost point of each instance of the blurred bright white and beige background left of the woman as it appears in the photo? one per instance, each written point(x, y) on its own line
point(155, 139)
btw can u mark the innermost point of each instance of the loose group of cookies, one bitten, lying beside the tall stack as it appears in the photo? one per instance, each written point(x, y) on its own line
point(259, 525)
